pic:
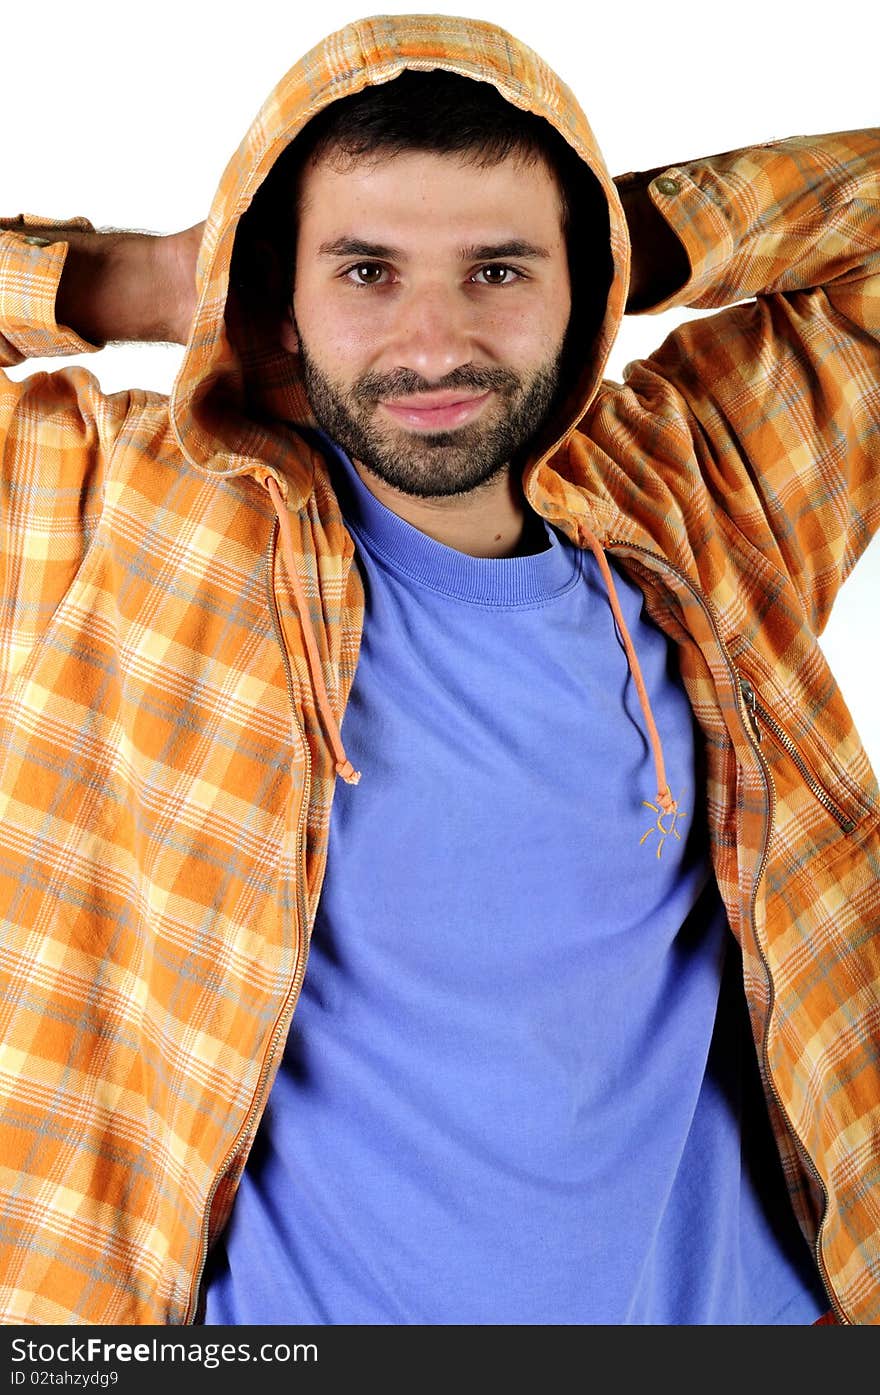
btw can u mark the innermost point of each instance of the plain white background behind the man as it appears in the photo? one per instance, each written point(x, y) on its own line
point(129, 114)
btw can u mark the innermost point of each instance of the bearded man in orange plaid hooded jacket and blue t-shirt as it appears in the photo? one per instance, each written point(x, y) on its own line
point(596, 776)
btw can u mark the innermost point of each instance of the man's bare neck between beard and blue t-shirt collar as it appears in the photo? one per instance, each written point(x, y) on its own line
point(494, 521)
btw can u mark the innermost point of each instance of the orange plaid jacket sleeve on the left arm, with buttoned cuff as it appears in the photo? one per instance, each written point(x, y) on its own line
point(56, 436)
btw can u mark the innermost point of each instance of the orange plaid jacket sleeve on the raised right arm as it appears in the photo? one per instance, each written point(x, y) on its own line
point(782, 393)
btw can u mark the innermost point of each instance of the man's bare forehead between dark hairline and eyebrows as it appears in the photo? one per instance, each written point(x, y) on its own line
point(425, 193)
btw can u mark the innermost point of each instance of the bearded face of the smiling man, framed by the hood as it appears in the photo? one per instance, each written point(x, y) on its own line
point(432, 301)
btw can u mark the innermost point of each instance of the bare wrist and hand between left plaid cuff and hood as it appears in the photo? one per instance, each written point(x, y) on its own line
point(128, 287)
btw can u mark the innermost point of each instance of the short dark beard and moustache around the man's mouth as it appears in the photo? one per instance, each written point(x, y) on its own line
point(440, 464)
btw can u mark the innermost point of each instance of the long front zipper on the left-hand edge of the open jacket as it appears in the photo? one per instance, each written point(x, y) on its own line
point(305, 937)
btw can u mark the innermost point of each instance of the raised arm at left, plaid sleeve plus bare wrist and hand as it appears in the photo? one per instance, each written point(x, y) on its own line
point(58, 432)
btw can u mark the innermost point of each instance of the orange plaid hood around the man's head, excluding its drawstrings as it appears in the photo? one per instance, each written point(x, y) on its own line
point(239, 397)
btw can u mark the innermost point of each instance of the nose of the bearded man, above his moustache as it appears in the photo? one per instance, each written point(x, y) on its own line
point(434, 331)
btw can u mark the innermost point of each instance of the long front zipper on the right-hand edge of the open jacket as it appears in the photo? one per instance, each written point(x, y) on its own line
point(754, 737)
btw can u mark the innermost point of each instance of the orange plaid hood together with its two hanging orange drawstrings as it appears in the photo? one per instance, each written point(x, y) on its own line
point(239, 404)
